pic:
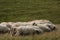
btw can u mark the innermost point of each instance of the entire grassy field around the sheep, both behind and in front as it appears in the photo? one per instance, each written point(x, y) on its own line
point(27, 10)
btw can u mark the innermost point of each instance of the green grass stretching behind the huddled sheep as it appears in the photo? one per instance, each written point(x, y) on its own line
point(27, 10)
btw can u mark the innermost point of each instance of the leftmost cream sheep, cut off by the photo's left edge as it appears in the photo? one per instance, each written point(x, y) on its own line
point(4, 27)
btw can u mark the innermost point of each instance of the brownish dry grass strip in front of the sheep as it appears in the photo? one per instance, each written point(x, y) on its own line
point(54, 35)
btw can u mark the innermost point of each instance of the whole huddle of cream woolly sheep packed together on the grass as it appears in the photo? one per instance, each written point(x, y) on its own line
point(27, 28)
